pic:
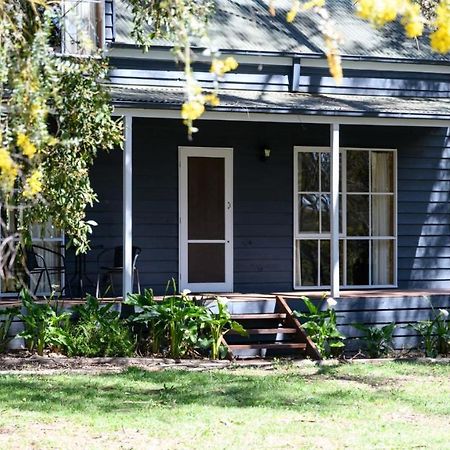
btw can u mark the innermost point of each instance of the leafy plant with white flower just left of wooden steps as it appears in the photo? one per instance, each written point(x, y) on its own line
point(219, 324)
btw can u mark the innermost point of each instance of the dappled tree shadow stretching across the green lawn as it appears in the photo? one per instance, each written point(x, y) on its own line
point(136, 390)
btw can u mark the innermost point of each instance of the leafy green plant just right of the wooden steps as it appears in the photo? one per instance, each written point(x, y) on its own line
point(321, 326)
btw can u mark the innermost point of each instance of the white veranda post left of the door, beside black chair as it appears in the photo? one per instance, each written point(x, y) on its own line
point(127, 274)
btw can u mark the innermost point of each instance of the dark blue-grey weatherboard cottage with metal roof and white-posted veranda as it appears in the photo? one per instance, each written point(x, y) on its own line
point(356, 174)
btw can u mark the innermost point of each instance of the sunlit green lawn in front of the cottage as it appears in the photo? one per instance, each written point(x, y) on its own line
point(393, 405)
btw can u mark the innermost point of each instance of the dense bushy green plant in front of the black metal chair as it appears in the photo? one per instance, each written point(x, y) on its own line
point(98, 331)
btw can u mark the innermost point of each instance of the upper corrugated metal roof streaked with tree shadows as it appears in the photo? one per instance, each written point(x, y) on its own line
point(247, 26)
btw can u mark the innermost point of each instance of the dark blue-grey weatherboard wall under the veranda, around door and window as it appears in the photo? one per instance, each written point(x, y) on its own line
point(263, 198)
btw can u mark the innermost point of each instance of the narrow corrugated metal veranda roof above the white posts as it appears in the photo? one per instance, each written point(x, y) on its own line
point(289, 102)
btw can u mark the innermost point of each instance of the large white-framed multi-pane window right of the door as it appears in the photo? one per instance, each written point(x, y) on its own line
point(367, 217)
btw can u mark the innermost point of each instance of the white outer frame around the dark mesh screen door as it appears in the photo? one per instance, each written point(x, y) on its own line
point(209, 152)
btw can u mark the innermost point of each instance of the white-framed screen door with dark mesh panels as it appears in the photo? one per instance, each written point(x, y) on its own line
point(206, 219)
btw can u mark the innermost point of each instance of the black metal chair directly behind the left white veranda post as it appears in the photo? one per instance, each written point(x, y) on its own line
point(117, 267)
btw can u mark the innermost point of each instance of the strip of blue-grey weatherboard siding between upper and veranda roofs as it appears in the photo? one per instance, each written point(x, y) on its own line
point(282, 78)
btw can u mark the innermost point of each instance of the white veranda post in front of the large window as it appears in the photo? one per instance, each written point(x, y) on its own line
point(334, 245)
